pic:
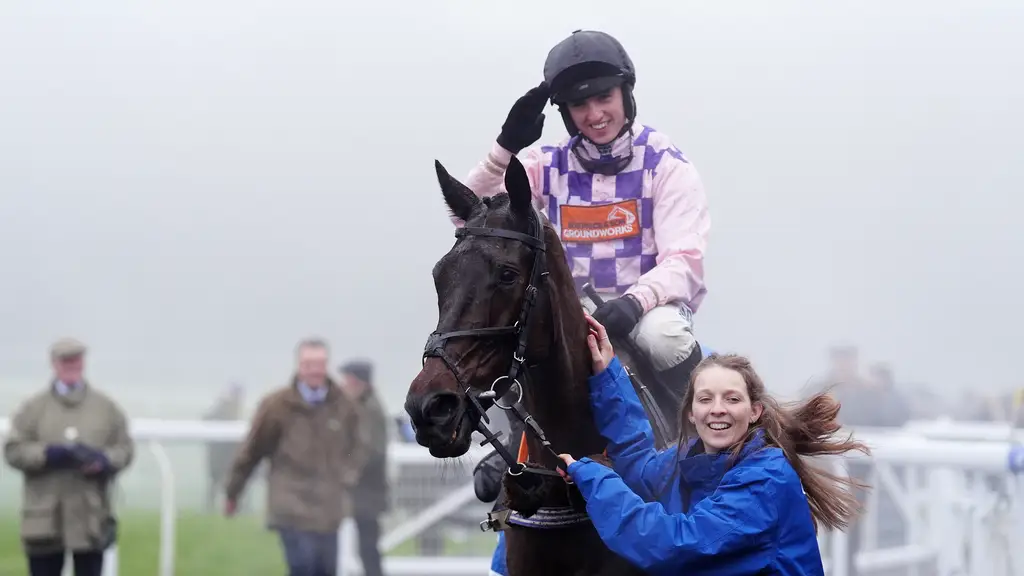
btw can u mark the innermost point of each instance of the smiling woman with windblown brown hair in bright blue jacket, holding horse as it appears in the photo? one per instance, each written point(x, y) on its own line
point(739, 499)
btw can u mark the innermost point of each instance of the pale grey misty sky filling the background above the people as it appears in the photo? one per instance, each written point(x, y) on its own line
point(192, 187)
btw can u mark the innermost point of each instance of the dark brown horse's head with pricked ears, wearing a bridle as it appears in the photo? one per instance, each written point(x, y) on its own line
point(495, 310)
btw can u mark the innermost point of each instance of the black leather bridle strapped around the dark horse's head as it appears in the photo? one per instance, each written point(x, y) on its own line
point(505, 384)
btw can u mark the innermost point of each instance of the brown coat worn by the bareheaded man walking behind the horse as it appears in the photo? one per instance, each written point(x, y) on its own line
point(317, 455)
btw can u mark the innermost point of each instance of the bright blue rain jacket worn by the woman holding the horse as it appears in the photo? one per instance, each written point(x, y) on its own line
point(697, 514)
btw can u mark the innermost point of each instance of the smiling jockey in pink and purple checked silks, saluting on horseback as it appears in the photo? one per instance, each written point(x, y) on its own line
point(630, 208)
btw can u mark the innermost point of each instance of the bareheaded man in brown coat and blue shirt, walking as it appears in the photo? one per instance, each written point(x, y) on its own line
point(311, 433)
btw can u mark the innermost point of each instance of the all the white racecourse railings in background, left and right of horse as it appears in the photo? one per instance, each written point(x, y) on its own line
point(955, 516)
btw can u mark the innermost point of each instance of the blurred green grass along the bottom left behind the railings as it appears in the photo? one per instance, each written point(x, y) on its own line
point(206, 545)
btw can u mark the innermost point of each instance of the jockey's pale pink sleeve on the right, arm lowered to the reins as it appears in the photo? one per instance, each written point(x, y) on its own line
point(681, 228)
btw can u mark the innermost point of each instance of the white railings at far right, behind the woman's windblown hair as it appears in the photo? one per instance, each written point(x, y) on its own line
point(963, 506)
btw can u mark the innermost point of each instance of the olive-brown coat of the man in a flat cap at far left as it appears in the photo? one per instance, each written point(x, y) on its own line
point(64, 508)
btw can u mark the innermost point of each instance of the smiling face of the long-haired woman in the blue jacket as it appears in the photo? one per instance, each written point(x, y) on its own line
point(722, 412)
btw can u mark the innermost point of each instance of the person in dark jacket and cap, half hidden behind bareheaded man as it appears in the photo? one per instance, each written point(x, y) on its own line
point(370, 497)
